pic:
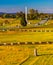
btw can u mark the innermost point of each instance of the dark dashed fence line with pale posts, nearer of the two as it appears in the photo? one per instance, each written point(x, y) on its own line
point(25, 43)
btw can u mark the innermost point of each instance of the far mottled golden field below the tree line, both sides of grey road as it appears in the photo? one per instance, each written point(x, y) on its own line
point(9, 23)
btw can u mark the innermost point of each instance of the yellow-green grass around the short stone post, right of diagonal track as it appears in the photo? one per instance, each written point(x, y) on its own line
point(45, 55)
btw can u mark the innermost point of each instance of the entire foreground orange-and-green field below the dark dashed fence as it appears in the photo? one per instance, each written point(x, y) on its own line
point(13, 55)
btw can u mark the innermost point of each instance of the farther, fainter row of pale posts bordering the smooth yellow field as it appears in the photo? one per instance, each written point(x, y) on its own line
point(29, 30)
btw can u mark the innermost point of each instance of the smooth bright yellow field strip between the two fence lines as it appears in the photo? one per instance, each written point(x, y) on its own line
point(25, 36)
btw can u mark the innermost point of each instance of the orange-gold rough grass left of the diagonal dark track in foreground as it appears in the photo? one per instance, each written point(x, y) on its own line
point(12, 55)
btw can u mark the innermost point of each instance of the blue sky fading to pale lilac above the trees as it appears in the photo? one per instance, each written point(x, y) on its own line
point(12, 6)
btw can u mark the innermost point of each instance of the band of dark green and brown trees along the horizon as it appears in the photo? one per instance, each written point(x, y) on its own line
point(32, 15)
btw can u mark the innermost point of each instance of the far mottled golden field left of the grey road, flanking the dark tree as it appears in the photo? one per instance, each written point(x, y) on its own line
point(8, 23)
